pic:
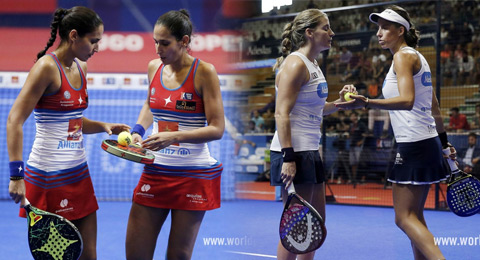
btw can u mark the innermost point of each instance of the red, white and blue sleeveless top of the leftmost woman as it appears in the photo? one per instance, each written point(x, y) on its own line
point(58, 141)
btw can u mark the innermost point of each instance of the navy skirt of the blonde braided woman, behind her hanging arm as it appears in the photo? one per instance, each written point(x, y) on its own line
point(309, 168)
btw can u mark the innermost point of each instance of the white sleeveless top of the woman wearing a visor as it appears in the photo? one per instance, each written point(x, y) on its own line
point(416, 124)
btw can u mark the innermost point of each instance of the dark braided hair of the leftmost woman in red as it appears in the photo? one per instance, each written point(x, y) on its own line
point(80, 18)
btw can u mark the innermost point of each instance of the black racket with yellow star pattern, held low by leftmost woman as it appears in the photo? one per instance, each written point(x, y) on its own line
point(52, 237)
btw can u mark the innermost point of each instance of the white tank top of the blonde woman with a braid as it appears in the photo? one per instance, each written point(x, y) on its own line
point(307, 113)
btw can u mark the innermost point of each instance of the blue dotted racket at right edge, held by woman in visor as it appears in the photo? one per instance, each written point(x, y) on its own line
point(463, 191)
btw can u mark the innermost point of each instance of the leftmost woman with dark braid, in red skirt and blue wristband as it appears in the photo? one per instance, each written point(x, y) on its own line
point(56, 173)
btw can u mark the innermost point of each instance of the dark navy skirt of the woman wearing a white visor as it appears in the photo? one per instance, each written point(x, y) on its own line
point(419, 163)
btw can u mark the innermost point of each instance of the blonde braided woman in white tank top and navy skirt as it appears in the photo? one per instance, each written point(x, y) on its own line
point(302, 92)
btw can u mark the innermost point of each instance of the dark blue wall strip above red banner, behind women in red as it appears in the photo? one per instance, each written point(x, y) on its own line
point(118, 15)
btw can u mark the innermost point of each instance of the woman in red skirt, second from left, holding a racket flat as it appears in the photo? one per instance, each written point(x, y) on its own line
point(184, 104)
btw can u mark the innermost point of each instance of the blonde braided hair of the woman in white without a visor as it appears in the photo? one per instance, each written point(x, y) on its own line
point(293, 36)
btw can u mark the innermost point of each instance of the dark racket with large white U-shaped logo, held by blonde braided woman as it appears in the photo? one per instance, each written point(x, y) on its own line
point(302, 229)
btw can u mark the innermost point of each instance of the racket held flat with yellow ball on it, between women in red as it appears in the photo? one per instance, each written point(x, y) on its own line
point(133, 152)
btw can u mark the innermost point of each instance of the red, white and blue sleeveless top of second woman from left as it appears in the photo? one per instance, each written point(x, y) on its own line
point(179, 109)
